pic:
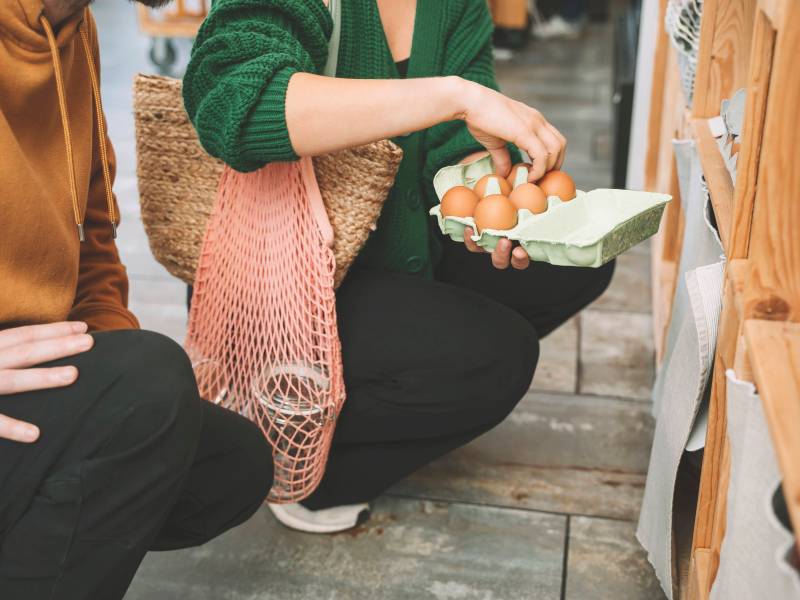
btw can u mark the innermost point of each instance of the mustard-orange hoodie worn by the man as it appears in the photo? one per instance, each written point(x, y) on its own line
point(46, 273)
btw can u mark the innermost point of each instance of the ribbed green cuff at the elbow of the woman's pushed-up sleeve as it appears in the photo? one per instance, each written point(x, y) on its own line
point(265, 136)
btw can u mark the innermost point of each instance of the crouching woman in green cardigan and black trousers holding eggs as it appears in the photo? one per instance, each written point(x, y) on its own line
point(439, 342)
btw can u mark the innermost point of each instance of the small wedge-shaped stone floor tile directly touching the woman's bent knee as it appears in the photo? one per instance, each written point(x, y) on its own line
point(557, 370)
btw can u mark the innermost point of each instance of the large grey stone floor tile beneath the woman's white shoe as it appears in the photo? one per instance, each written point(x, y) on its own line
point(408, 550)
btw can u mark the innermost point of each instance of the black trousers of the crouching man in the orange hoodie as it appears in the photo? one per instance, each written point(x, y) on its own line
point(130, 459)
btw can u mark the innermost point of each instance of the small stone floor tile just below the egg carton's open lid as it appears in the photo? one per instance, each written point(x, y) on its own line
point(630, 288)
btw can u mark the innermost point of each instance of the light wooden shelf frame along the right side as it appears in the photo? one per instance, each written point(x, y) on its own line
point(753, 44)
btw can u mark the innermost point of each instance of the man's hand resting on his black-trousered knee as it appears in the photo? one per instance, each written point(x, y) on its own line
point(23, 347)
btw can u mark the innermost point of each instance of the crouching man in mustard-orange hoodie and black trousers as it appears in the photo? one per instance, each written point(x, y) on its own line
point(106, 450)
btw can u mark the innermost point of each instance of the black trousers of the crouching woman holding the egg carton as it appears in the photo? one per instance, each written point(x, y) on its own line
point(430, 365)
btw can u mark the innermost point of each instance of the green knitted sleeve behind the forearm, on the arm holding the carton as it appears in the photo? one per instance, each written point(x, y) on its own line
point(469, 55)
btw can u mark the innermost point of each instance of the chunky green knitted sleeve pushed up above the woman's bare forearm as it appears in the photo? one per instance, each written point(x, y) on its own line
point(235, 84)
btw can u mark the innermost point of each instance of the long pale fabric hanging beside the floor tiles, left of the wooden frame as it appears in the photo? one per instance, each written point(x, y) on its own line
point(684, 374)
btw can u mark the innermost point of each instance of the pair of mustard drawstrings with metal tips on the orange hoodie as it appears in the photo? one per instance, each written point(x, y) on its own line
point(62, 103)
